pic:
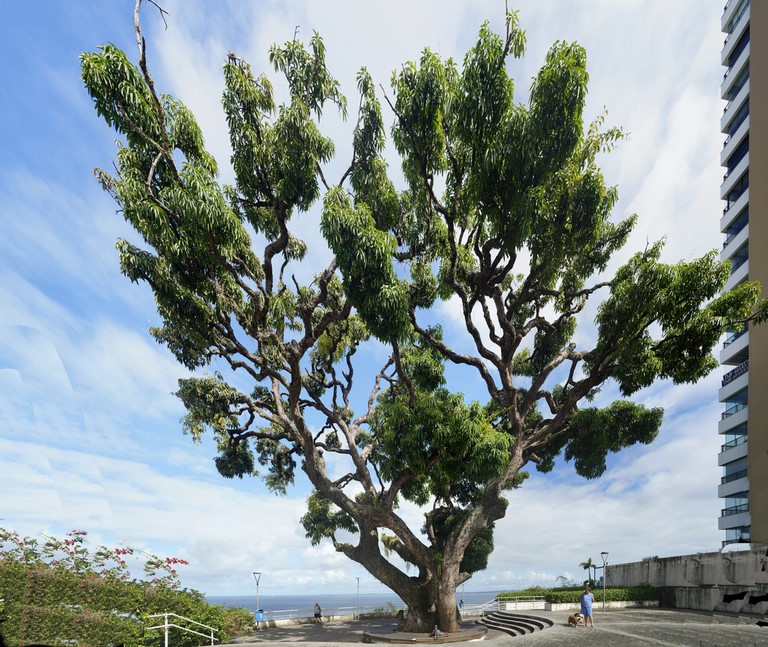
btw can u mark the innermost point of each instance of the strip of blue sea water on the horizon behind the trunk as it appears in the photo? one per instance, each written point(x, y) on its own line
point(332, 603)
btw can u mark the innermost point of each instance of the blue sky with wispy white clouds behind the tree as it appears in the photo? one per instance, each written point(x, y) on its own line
point(89, 431)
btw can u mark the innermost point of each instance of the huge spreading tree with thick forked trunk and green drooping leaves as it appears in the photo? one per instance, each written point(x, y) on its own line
point(504, 212)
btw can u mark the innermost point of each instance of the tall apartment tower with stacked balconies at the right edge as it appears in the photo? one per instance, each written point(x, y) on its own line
point(744, 391)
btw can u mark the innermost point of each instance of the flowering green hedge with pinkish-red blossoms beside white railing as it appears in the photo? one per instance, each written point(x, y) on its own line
point(64, 591)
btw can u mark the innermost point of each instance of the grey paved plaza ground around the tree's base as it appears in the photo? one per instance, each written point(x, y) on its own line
point(614, 628)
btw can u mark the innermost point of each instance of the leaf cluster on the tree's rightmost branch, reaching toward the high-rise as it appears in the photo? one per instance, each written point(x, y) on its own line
point(646, 292)
